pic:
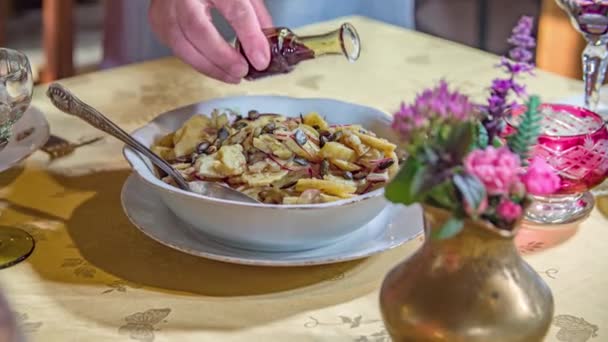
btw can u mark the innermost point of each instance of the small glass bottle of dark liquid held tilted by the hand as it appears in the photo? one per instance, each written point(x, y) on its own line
point(288, 49)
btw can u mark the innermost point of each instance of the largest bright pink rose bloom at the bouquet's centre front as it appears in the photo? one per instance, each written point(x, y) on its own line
point(495, 168)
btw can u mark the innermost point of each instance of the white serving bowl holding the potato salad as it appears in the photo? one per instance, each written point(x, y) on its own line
point(265, 227)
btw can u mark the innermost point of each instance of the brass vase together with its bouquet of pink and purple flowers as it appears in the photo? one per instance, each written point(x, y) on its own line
point(468, 282)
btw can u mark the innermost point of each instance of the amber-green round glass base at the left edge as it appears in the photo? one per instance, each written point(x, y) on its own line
point(15, 246)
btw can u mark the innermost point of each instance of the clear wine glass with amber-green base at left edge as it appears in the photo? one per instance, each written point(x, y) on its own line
point(16, 88)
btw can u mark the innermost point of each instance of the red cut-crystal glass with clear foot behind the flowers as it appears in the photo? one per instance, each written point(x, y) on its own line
point(574, 141)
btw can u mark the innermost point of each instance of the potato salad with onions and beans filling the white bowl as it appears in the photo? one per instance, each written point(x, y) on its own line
point(280, 160)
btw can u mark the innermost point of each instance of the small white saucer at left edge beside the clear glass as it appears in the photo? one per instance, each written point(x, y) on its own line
point(29, 134)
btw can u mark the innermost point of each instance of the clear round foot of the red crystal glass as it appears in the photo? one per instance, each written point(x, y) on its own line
point(560, 210)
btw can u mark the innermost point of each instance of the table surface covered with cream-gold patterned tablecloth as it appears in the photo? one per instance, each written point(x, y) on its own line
point(95, 277)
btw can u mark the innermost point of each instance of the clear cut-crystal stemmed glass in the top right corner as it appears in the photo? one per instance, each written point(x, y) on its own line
point(590, 17)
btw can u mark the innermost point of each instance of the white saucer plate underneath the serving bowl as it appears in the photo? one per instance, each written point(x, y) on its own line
point(148, 213)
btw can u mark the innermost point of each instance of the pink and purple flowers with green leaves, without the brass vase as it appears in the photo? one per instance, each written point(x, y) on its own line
point(457, 157)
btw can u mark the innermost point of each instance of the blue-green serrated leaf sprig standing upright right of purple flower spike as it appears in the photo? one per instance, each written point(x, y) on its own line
point(528, 130)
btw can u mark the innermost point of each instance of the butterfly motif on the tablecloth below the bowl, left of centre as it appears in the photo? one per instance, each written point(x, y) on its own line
point(141, 325)
